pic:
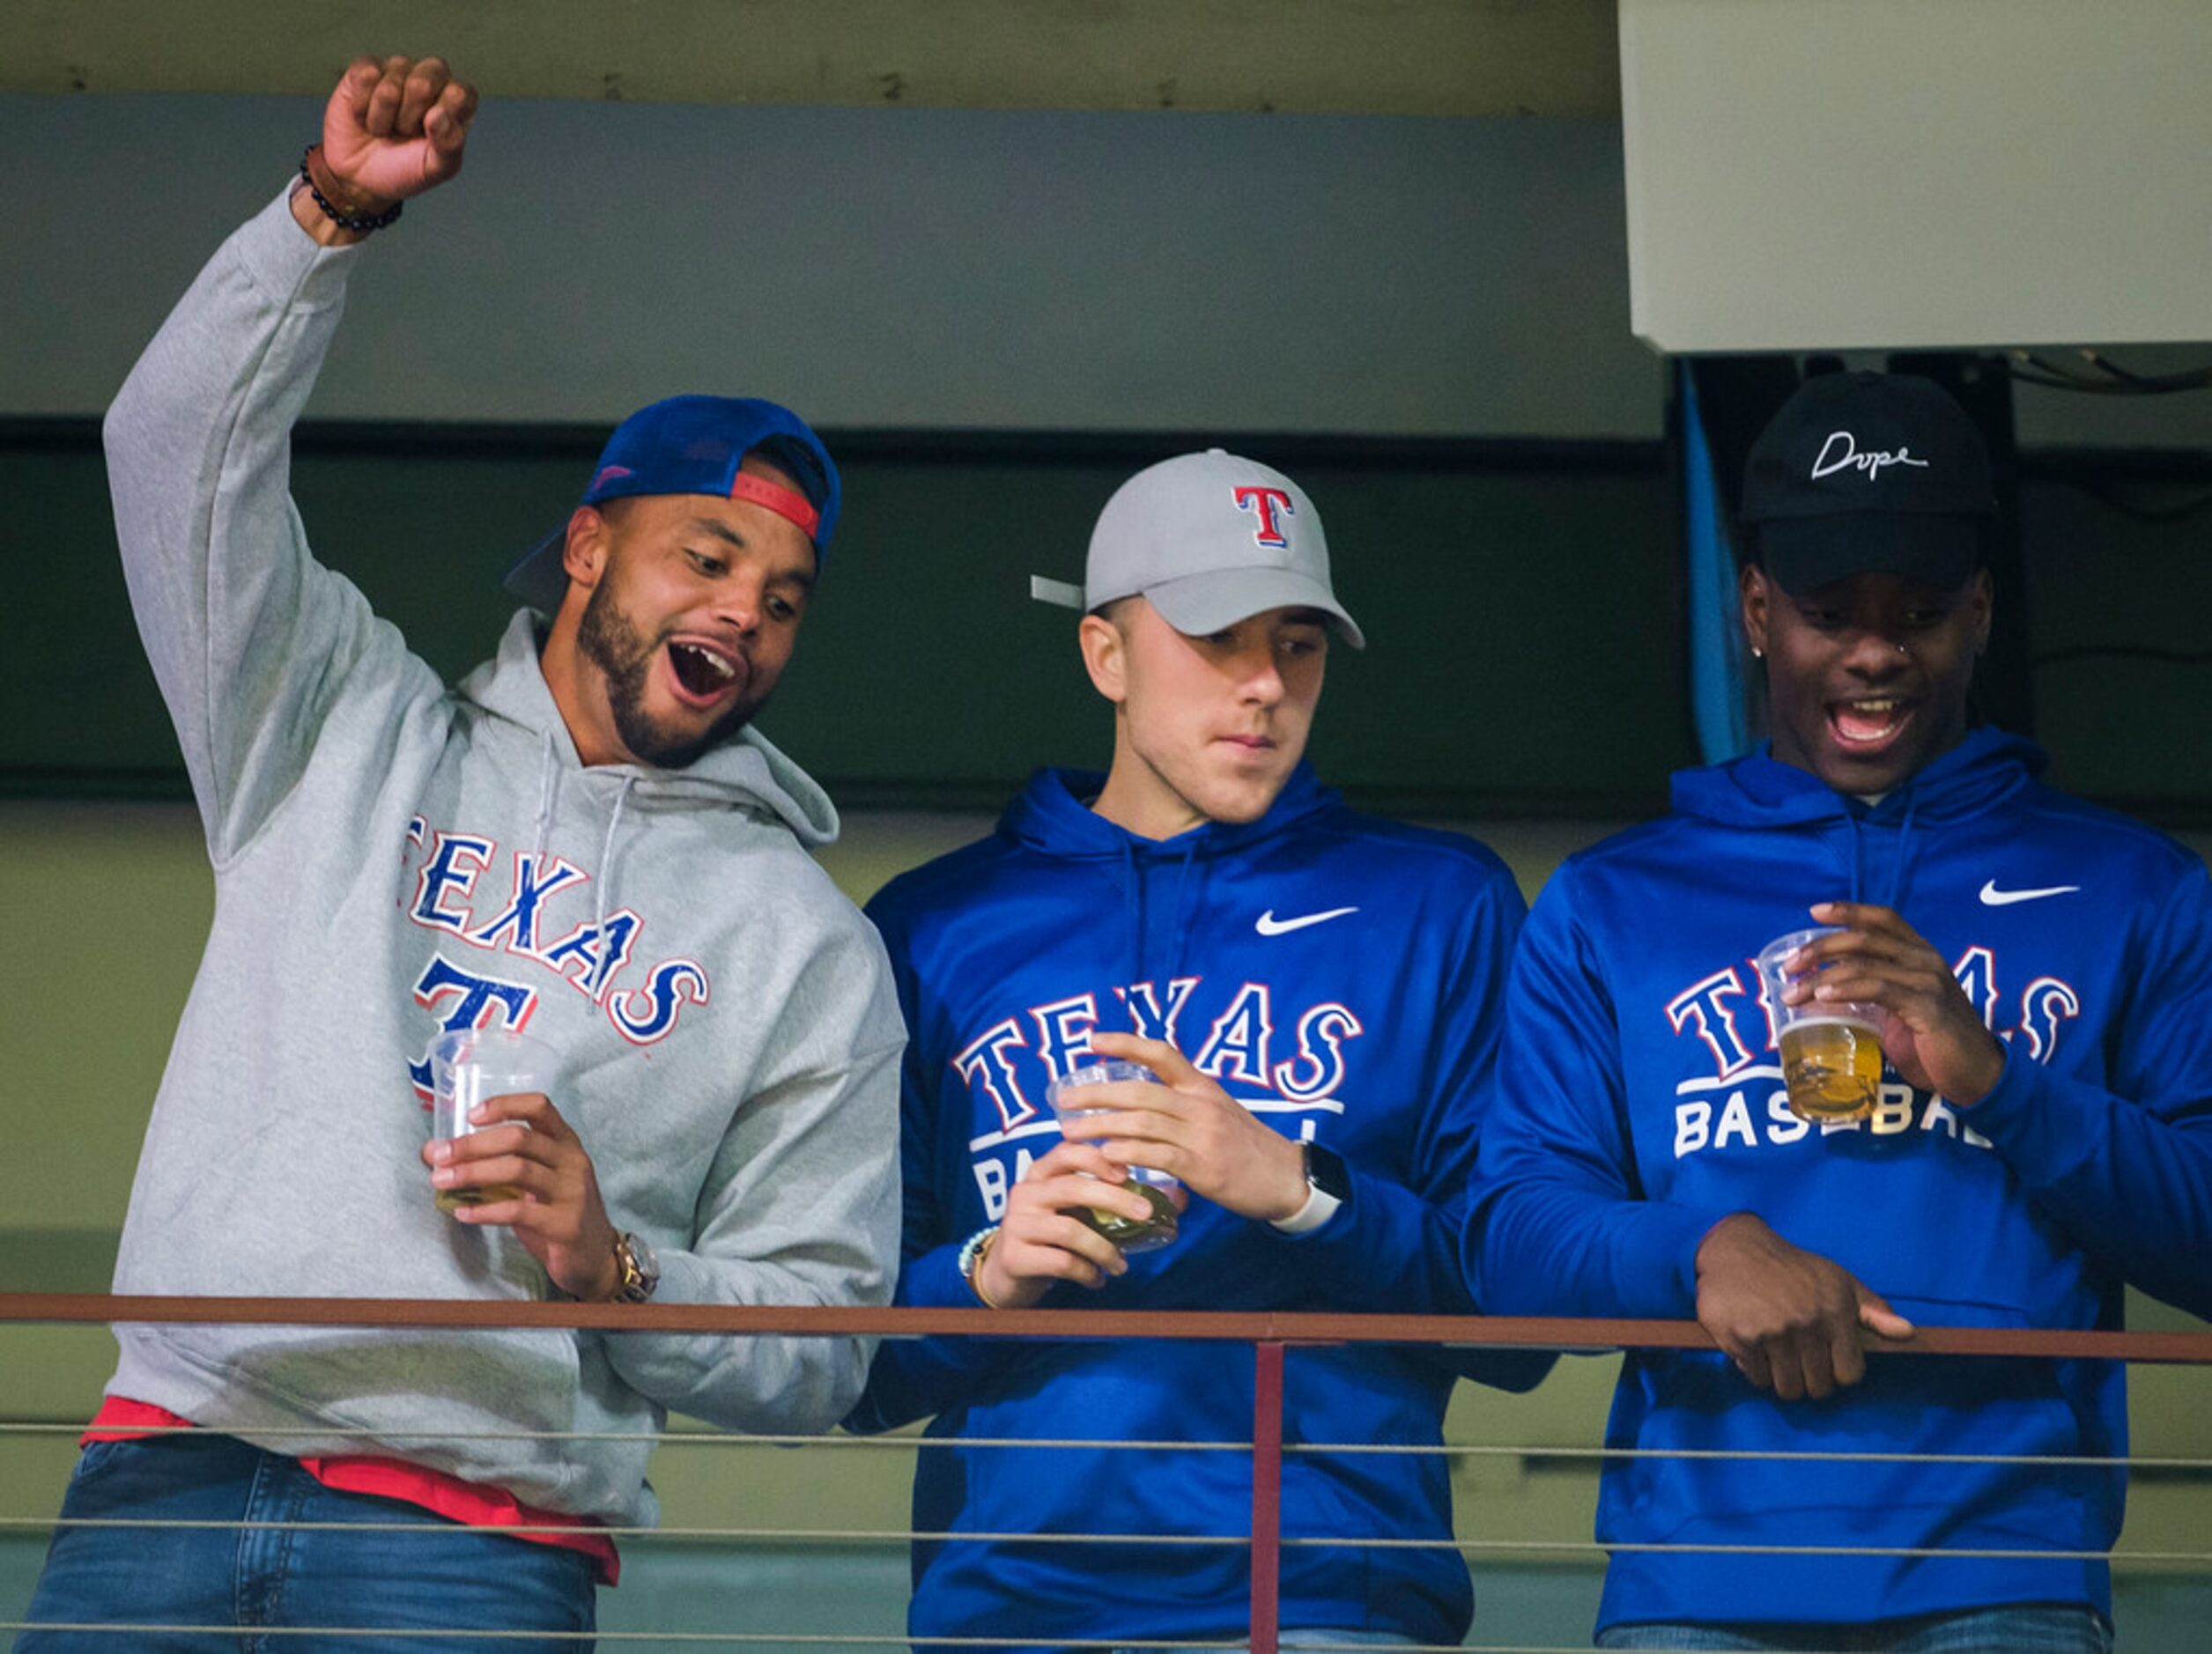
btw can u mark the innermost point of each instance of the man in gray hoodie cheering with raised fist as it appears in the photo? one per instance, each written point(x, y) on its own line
point(583, 839)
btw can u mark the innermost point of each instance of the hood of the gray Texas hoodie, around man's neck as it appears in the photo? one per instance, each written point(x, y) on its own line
point(744, 773)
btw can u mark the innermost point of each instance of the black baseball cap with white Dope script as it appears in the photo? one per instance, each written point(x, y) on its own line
point(1868, 474)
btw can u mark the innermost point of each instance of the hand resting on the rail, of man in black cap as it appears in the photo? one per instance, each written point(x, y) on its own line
point(1788, 1319)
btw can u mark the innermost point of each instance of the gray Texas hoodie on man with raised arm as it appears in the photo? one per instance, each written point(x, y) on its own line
point(397, 857)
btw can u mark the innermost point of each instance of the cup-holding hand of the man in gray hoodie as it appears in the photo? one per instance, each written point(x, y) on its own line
point(559, 1215)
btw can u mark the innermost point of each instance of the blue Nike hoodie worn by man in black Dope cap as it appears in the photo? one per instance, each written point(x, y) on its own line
point(1640, 1102)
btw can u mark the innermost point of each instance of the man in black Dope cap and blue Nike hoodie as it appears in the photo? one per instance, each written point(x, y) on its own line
point(2041, 978)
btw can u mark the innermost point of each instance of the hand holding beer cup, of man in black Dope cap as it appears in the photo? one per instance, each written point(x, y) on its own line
point(1930, 1029)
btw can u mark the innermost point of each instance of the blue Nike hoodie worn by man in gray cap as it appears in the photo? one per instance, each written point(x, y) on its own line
point(1342, 976)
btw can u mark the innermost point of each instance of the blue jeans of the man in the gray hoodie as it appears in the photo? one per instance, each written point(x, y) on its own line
point(222, 1584)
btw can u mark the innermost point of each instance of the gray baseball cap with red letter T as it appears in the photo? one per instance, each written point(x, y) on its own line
point(1209, 541)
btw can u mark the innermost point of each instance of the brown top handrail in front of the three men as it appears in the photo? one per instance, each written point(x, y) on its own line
point(1479, 1332)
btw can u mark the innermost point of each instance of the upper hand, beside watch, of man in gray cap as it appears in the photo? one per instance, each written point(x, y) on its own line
point(1196, 1131)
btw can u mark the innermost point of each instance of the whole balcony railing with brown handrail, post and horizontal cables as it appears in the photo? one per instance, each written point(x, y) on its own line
point(1271, 1334)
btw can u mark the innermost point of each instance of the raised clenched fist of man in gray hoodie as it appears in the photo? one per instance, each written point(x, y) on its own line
point(393, 129)
